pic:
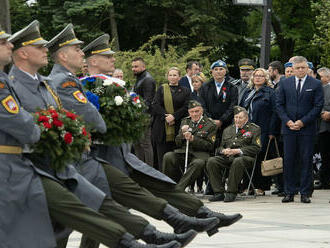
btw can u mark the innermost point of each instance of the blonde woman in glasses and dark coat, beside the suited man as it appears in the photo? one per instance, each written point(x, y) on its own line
point(259, 101)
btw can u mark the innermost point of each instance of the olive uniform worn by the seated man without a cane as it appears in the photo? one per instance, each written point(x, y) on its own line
point(248, 140)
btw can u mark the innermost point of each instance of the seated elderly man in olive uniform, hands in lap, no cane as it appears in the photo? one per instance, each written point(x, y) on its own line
point(239, 146)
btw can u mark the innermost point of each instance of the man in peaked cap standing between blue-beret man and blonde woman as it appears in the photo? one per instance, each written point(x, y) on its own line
point(246, 67)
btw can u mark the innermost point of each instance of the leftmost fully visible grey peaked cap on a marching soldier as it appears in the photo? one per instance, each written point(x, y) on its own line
point(30, 35)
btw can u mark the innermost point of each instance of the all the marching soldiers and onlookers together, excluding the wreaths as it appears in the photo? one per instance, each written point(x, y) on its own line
point(200, 130)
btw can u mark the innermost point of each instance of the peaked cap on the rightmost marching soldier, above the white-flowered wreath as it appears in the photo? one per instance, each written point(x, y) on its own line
point(98, 46)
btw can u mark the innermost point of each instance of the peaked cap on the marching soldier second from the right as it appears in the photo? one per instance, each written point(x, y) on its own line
point(65, 38)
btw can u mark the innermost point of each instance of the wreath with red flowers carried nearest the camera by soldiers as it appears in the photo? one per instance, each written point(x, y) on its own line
point(63, 137)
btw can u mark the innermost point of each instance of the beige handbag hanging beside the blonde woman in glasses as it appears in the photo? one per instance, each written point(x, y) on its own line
point(272, 166)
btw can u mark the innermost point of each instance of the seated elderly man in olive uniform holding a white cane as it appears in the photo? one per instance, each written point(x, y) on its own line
point(200, 132)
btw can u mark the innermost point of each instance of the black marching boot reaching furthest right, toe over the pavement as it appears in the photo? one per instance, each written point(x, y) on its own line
point(225, 220)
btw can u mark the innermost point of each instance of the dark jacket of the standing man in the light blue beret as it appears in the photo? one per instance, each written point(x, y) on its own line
point(215, 105)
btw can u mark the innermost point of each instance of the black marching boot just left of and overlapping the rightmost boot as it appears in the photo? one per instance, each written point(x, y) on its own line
point(182, 223)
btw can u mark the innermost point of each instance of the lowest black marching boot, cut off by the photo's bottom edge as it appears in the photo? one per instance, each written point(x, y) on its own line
point(128, 241)
